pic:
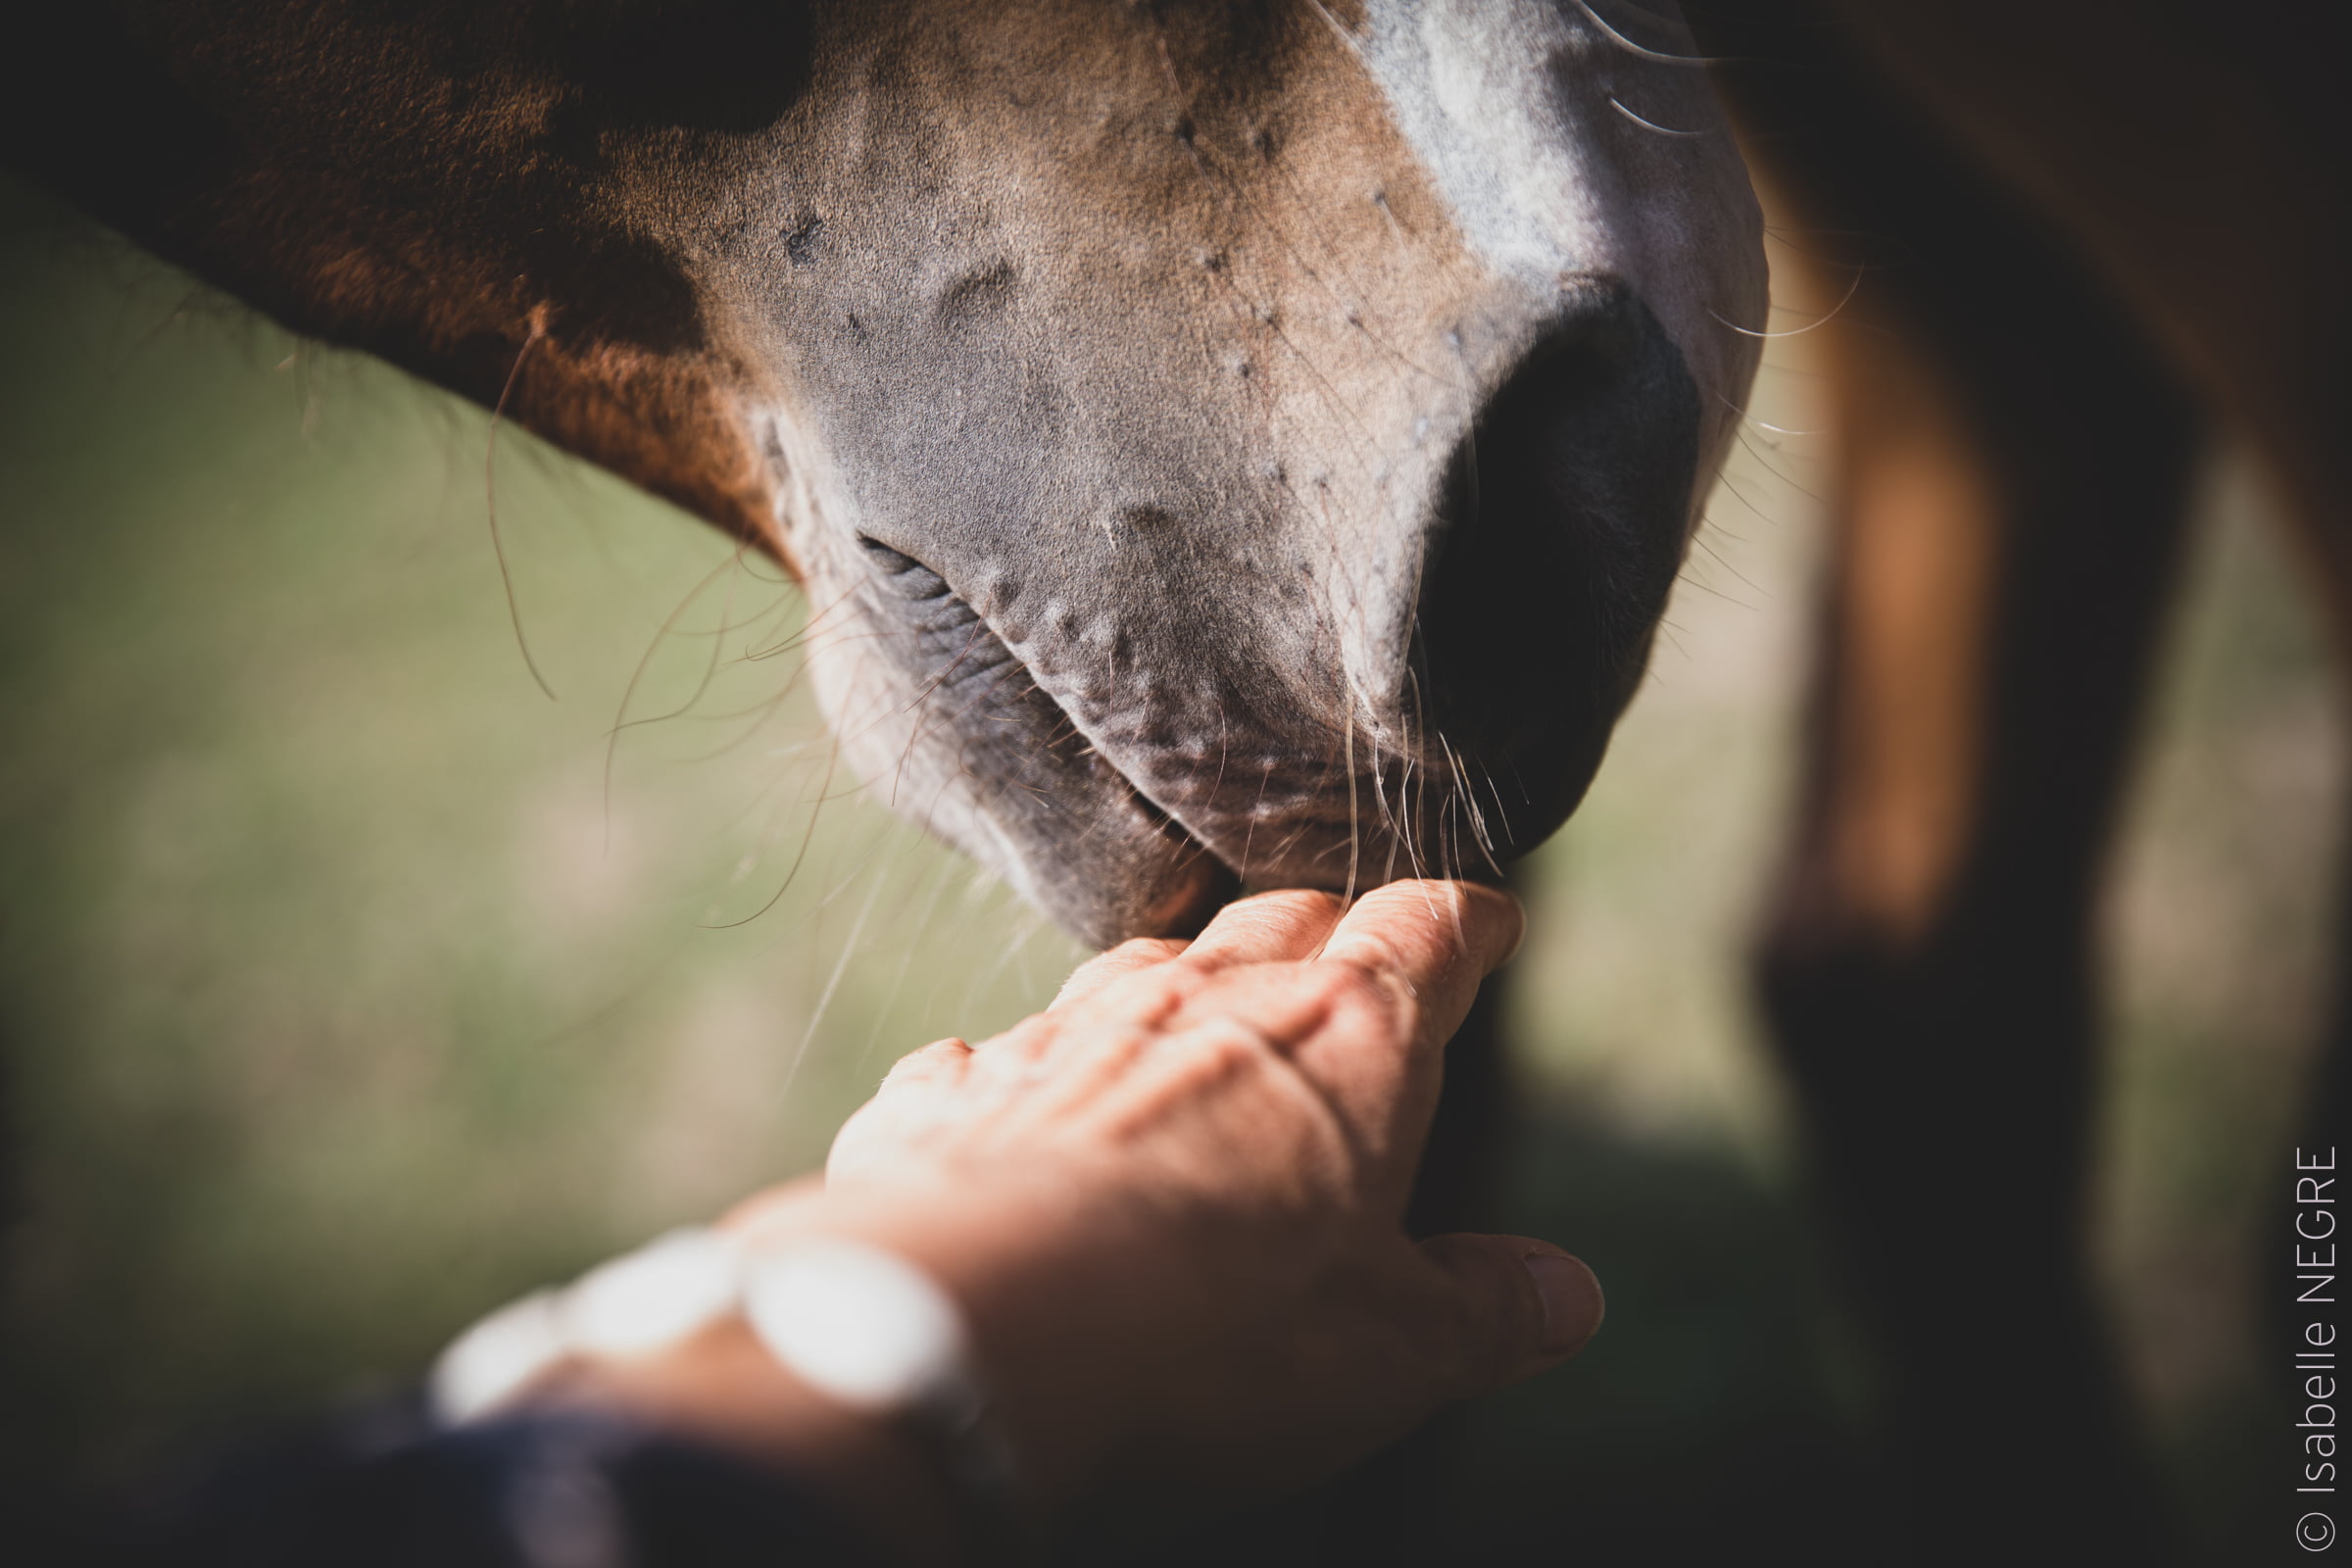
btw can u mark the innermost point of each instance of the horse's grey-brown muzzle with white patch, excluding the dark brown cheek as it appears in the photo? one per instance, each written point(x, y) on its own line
point(1236, 443)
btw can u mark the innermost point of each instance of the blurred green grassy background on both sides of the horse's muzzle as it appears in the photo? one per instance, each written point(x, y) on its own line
point(349, 986)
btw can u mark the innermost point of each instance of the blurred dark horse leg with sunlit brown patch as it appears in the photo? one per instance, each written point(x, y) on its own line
point(2010, 471)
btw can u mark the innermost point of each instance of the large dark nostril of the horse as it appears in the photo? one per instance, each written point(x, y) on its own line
point(1556, 540)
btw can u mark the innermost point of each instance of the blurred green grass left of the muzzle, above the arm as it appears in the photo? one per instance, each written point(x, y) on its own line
point(340, 996)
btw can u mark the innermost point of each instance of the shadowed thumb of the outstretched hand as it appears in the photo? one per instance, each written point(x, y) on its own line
point(1521, 1308)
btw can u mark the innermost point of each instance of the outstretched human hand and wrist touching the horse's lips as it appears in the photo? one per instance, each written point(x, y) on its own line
point(1170, 1209)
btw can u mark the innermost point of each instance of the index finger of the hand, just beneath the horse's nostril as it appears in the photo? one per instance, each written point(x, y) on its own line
point(1441, 939)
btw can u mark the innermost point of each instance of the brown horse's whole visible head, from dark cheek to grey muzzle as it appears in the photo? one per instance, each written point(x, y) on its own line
point(1224, 445)
